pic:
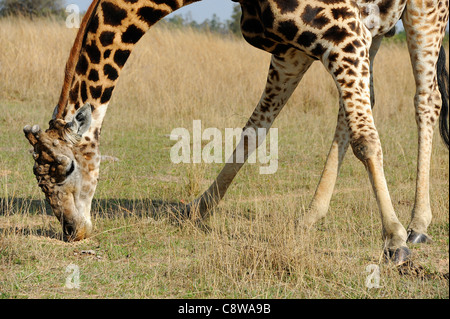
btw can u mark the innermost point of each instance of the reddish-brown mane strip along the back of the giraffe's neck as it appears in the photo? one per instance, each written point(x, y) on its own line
point(73, 59)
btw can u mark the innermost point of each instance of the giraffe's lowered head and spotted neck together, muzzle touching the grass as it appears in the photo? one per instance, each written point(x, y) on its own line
point(67, 158)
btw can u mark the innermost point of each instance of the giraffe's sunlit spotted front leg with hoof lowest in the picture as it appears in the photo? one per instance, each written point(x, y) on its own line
point(353, 84)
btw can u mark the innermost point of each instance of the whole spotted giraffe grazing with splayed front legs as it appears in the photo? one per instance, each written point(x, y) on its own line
point(343, 35)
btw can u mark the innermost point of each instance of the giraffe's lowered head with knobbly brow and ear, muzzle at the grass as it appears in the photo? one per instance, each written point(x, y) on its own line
point(63, 172)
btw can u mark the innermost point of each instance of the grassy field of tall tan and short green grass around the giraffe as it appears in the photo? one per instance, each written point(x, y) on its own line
point(252, 248)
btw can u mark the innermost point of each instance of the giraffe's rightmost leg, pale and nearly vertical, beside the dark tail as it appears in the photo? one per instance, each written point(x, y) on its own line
point(424, 31)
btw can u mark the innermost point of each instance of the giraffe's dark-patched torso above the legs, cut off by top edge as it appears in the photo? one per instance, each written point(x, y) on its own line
point(277, 25)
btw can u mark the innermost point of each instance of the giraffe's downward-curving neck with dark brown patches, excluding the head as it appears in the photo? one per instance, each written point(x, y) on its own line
point(109, 32)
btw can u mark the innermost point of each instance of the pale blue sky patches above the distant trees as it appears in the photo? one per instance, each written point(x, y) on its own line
point(199, 11)
